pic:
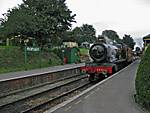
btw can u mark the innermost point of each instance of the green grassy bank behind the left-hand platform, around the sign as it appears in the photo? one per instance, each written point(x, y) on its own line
point(12, 59)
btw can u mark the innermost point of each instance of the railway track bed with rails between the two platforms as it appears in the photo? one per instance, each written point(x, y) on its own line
point(43, 97)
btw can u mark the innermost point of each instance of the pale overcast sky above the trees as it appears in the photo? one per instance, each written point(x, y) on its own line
point(124, 16)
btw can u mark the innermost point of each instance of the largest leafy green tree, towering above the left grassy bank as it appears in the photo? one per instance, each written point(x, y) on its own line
point(44, 20)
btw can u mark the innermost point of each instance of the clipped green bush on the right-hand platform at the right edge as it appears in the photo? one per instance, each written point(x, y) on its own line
point(142, 82)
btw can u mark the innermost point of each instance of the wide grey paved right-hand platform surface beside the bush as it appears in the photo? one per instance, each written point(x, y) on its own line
point(114, 95)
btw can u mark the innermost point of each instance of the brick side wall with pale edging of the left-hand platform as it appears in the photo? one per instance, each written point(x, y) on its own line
point(16, 84)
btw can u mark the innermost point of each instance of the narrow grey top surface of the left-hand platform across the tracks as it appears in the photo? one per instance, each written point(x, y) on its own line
point(21, 74)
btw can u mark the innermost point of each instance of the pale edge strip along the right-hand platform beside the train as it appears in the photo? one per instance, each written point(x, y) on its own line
point(84, 92)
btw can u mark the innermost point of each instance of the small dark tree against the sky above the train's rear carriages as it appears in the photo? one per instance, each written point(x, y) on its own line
point(128, 40)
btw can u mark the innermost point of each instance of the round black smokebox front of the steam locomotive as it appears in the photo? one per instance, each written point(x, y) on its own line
point(98, 52)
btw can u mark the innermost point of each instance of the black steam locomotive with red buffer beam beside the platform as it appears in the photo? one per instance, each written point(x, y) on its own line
point(107, 58)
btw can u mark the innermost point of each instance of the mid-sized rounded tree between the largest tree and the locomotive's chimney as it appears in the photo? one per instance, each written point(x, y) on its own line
point(85, 33)
